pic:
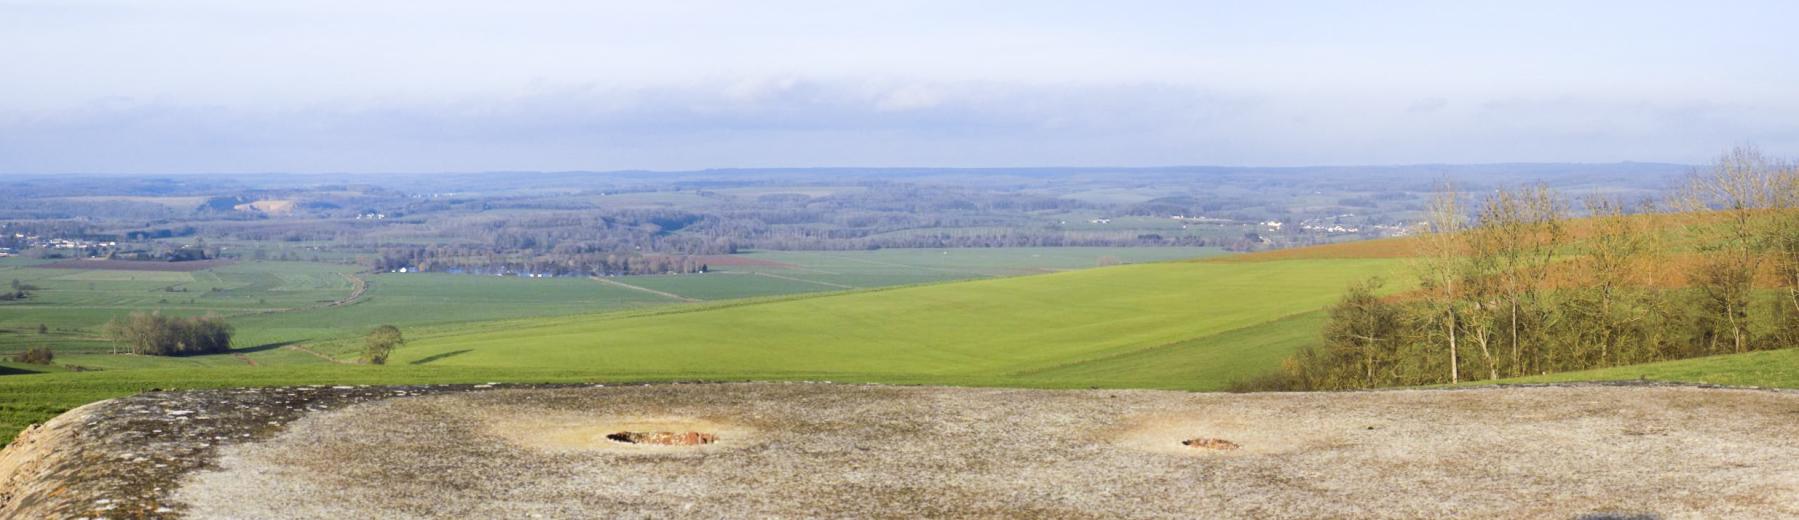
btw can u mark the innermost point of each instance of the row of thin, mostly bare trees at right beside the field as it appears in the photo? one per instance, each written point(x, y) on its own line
point(1521, 289)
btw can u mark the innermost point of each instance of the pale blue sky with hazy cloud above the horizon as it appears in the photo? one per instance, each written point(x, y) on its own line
point(530, 85)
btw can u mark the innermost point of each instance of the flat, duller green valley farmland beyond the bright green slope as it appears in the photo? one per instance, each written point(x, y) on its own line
point(280, 303)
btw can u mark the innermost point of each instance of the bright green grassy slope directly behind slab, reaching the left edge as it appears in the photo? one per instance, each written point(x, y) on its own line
point(1167, 325)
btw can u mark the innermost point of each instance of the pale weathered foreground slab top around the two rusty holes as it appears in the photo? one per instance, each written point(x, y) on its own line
point(836, 451)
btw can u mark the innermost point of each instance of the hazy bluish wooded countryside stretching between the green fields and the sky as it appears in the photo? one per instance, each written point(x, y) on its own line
point(616, 224)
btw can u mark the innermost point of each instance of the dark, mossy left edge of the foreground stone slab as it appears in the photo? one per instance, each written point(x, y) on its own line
point(123, 458)
